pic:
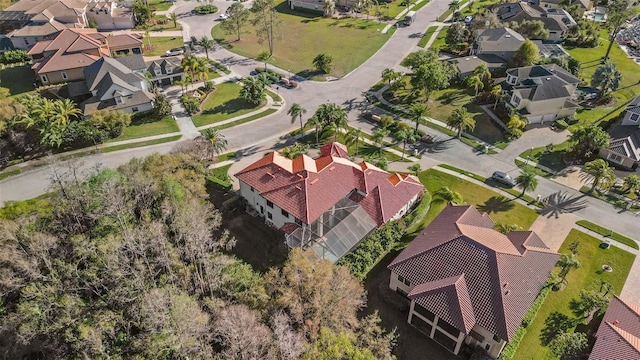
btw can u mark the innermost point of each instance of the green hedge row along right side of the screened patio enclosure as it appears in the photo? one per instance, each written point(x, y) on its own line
point(373, 248)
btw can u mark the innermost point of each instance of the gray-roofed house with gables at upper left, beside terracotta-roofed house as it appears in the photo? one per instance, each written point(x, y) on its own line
point(114, 86)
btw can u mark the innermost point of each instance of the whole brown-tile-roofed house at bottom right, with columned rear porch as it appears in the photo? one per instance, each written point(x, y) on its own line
point(469, 284)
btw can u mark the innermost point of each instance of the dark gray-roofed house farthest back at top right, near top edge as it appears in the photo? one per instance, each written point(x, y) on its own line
point(557, 21)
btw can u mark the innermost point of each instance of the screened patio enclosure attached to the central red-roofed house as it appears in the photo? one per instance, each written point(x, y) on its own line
point(335, 232)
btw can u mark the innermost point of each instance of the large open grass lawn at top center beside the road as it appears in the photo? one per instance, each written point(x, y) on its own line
point(304, 36)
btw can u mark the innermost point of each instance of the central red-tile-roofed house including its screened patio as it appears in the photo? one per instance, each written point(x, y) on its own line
point(328, 203)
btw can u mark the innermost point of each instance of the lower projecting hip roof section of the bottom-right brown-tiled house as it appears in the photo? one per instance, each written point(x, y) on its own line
point(449, 298)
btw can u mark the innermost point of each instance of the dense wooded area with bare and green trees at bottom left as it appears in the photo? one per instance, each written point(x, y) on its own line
point(133, 263)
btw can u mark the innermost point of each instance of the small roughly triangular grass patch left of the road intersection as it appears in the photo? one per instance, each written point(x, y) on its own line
point(222, 104)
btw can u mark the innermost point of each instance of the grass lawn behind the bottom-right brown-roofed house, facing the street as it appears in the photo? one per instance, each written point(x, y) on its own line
point(499, 208)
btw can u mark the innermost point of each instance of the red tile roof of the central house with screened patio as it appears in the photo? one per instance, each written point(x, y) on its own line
point(306, 187)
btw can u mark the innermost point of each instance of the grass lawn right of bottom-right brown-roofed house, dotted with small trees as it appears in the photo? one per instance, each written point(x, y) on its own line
point(588, 277)
